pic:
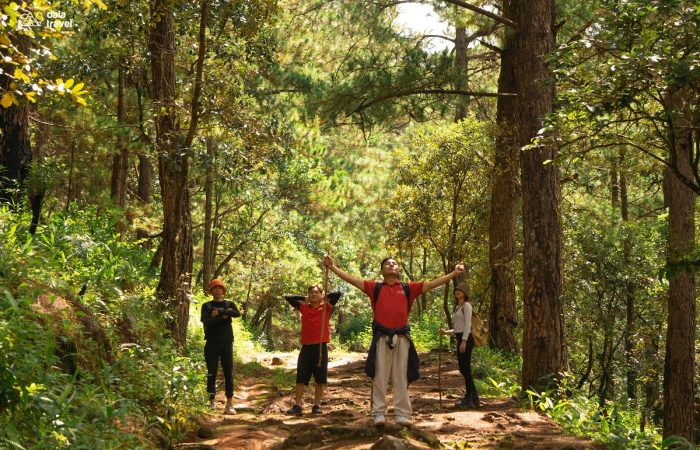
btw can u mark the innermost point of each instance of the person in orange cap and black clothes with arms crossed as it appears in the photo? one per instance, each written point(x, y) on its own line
point(218, 333)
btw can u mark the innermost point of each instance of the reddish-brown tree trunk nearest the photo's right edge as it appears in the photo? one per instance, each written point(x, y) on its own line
point(680, 335)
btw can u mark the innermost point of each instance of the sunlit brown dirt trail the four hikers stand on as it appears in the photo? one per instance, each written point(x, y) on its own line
point(345, 422)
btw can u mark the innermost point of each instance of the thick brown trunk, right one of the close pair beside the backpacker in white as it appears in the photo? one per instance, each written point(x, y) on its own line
point(525, 55)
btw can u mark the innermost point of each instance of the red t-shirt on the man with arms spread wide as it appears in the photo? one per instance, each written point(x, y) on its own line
point(391, 308)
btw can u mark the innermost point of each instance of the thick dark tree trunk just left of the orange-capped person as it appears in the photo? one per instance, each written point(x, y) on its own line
point(173, 169)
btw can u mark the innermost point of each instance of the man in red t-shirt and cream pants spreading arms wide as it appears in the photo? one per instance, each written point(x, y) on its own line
point(391, 333)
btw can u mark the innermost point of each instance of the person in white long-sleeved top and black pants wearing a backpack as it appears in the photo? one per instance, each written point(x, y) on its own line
point(462, 320)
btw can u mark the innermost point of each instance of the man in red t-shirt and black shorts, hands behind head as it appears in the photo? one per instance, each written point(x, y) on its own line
point(315, 310)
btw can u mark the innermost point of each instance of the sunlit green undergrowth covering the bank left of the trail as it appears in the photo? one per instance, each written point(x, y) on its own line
point(56, 390)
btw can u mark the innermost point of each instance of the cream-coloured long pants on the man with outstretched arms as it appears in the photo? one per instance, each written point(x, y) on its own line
point(394, 363)
